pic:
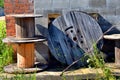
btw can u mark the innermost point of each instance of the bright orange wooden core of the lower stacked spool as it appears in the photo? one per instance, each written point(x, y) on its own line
point(25, 55)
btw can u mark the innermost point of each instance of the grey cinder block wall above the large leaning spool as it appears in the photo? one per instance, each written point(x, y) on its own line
point(109, 9)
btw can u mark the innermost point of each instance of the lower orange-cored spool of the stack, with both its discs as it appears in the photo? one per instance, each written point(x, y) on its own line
point(25, 56)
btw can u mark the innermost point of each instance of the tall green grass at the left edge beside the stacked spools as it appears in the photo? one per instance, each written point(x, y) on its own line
point(5, 50)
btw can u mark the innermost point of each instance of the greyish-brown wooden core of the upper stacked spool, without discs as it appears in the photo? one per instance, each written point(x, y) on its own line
point(25, 27)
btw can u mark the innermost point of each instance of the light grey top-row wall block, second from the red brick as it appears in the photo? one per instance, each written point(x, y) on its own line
point(60, 4)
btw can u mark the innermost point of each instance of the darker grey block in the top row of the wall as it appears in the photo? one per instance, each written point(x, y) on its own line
point(97, 3)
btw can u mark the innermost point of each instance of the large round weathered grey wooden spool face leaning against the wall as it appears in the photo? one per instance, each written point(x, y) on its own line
point(71, 35)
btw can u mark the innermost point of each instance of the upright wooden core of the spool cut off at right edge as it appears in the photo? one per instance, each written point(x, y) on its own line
point(117, 52)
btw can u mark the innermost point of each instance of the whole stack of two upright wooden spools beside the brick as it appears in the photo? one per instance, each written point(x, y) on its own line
point(25, 41)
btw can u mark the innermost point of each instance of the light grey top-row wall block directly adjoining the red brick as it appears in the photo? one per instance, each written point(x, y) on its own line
point(43, 4)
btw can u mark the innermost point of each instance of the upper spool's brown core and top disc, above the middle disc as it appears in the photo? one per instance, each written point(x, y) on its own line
point(25, 25)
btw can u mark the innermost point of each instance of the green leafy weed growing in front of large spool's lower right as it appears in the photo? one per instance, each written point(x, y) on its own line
point(96, 60)
